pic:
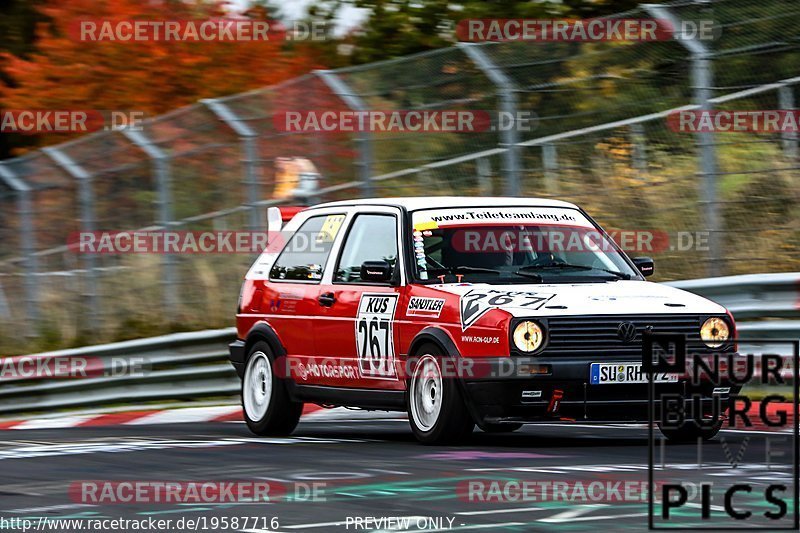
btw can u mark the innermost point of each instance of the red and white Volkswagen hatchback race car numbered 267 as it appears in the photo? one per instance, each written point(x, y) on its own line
point(460, 311)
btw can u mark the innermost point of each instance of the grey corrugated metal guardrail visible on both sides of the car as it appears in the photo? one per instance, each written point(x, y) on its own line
point(194, 365)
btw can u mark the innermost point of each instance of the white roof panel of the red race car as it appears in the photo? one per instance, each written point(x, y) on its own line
point(414, 203)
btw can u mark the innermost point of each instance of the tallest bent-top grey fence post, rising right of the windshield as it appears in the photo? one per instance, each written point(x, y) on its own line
point(702, 82)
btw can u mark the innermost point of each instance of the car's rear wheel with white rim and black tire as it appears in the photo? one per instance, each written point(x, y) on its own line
point(267, 408)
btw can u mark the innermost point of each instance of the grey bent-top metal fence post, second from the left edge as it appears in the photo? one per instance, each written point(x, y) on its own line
point(86, 201)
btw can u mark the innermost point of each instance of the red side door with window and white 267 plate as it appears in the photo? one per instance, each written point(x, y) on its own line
point(355, 329)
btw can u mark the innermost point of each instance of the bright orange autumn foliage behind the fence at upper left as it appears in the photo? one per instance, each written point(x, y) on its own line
point(150, 76)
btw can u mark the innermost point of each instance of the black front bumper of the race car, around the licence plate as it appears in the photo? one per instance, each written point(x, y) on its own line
point(501, 394)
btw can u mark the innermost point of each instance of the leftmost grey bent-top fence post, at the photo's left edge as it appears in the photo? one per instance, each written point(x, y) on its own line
point(27, 244)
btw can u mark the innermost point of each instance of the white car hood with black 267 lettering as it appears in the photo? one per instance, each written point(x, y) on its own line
point(604, 298)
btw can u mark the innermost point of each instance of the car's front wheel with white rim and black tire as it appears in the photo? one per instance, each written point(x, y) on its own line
point(436, 409)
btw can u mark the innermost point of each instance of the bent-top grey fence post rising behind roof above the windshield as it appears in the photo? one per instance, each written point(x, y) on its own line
point(506, 93)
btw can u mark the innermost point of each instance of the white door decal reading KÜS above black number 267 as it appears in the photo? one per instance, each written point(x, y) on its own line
point(375, 335)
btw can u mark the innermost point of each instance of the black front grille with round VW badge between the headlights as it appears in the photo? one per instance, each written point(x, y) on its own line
point(597, 335)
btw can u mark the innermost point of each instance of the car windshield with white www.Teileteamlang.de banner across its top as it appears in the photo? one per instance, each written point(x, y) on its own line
point(513, 245)
